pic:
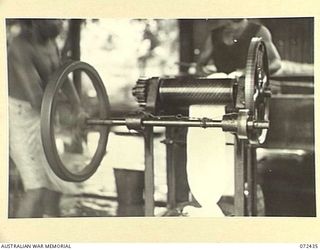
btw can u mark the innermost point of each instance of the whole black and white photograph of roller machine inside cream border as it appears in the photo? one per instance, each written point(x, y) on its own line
point(150, 117)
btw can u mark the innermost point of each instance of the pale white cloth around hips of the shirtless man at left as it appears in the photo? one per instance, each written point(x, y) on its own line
point(27, 152)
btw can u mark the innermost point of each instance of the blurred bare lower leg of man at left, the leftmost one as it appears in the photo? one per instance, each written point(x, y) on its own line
point(30, 205)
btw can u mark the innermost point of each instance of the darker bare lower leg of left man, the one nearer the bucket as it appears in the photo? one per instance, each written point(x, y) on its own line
point(51, 203)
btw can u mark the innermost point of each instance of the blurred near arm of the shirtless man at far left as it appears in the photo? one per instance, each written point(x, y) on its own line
point(23, 74)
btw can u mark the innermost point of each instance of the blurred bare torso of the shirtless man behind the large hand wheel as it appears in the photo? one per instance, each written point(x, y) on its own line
point(30, 64)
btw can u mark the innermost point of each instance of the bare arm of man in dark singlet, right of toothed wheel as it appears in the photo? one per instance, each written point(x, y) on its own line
point(273, 55)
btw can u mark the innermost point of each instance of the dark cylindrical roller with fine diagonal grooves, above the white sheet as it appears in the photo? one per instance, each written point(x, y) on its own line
point(197, 91)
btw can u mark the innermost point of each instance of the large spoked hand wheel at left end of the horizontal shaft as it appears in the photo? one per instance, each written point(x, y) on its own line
point(74, 150)
